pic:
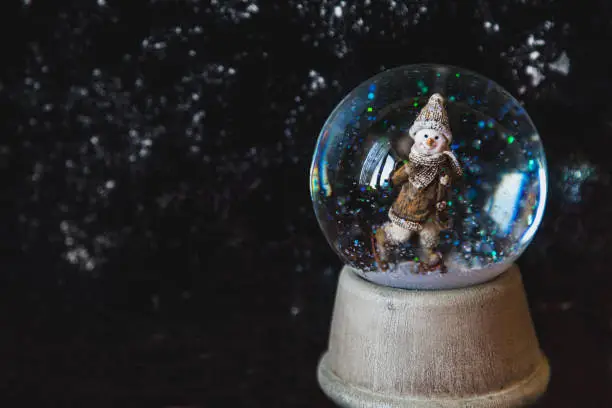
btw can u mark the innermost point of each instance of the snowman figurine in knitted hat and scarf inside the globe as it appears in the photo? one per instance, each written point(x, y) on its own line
point(424, 182)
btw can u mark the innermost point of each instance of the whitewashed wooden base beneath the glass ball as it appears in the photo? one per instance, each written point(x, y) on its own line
point(470, 347)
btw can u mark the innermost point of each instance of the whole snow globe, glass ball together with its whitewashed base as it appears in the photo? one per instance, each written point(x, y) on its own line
point(429, 181)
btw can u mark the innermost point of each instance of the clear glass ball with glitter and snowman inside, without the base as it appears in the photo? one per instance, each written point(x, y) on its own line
point(429, 177)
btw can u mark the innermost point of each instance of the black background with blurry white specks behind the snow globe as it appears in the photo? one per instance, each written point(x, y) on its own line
point(159, 247)
